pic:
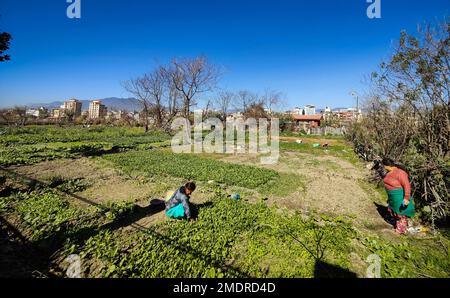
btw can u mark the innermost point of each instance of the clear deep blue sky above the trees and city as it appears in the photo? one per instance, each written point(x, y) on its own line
point(313, 51)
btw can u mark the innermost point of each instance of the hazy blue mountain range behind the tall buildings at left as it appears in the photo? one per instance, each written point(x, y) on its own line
point(112, 103)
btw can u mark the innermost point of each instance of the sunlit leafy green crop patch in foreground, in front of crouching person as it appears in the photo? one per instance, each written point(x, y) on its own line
point(231, 239)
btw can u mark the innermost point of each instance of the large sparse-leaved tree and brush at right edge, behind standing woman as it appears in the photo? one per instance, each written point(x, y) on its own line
point(409, 114)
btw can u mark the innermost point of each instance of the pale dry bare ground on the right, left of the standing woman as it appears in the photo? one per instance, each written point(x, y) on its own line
point(333, 186)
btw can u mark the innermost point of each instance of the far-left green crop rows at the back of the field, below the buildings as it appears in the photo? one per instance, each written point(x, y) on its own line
point(35, 144)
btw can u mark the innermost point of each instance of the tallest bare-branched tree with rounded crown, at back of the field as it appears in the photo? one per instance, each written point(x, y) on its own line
point(191, 77)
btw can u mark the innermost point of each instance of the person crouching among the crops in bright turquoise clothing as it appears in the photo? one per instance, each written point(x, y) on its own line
point(177, 206)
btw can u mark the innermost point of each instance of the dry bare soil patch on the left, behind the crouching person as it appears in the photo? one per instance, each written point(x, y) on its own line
point(107, 185)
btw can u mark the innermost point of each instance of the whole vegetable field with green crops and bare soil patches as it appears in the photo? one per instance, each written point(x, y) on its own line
point(93, 193)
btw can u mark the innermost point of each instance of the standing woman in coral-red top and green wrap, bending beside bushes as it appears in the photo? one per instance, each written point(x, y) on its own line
point(398, 188)
